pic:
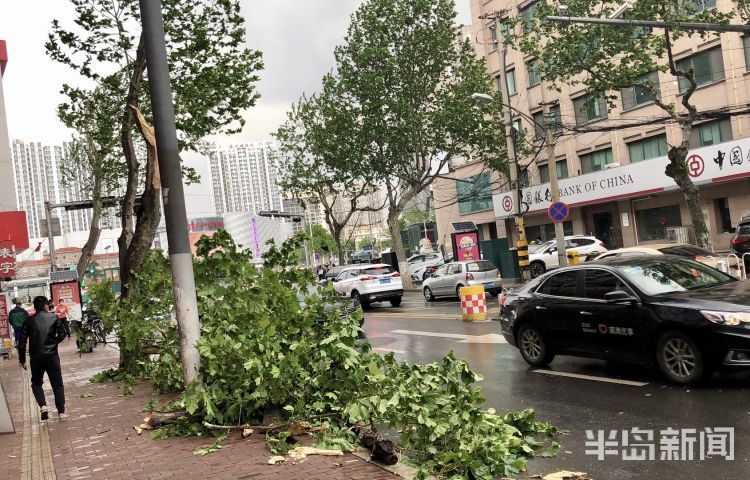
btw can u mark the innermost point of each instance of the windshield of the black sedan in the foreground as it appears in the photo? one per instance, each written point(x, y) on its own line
point(670, 275)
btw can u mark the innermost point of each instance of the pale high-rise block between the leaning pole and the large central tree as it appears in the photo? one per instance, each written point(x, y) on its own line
point(243, 177)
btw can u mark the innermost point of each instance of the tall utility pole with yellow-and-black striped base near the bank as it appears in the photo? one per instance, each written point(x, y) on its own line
point(521, 243)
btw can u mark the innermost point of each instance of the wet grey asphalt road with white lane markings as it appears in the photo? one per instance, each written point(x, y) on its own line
point(599, 396)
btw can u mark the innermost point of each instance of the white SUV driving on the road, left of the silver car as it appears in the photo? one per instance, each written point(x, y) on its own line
point(370, 283)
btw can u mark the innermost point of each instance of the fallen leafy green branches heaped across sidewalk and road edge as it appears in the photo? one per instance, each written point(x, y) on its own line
point(272, 344)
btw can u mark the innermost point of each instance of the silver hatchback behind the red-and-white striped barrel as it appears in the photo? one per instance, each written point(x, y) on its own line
point(448, 279)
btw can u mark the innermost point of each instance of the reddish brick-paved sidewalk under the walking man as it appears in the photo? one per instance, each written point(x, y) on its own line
point(98, 440)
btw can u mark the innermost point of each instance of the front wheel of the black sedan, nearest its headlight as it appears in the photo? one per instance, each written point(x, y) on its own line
point(679, 358)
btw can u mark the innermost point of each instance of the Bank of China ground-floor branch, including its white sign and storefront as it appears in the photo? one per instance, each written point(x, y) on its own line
point(638, 204)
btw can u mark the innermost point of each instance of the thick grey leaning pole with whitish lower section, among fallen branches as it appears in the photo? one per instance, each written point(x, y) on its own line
point(173, 197)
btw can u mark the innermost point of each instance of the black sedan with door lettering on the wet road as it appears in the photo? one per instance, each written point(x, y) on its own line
point(684, 316)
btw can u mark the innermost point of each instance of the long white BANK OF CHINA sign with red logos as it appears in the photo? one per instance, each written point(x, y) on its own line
point(717, 163)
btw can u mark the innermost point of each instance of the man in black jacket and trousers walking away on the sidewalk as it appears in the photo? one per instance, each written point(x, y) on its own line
point(44, 332)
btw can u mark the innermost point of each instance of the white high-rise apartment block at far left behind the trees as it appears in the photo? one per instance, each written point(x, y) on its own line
point(37, 171)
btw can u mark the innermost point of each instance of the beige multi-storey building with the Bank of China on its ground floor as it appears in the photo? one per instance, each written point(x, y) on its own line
point(611, 169)
